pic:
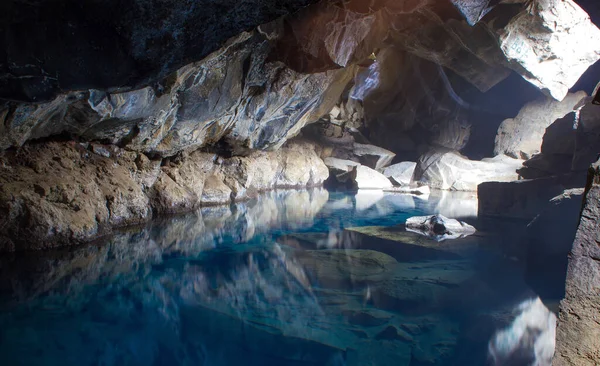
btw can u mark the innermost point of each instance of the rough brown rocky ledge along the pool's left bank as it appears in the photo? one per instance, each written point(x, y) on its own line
point(67, 193)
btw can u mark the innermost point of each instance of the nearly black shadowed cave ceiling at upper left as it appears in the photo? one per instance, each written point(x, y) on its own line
point(108, 45)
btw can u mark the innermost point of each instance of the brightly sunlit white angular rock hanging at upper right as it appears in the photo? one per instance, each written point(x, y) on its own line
point(551, 43)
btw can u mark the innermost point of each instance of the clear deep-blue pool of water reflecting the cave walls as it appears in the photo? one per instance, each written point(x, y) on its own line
point(291, 278)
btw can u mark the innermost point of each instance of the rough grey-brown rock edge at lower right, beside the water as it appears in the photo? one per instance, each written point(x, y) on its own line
point(578, 332)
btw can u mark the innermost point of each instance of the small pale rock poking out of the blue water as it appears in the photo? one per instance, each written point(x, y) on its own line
point(439, 227)
